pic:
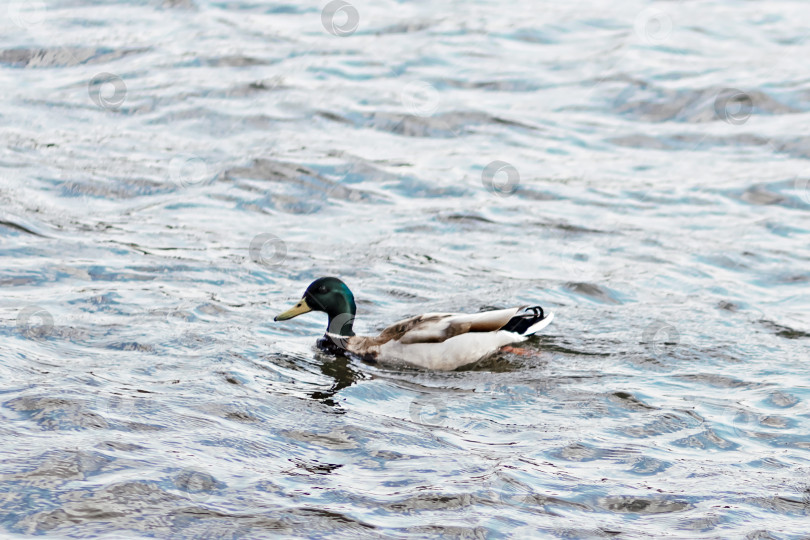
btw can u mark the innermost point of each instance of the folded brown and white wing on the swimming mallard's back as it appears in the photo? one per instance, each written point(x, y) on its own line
point(439, 327)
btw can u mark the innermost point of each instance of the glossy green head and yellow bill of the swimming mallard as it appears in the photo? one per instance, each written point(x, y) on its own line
point(331, 296)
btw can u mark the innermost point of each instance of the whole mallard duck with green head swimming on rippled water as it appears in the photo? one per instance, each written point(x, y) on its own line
point(432, 341)
